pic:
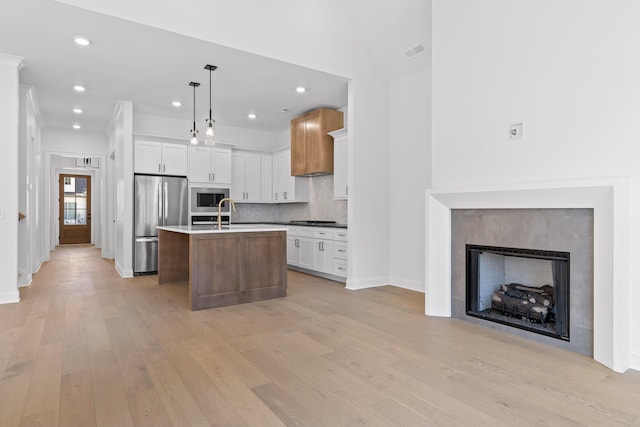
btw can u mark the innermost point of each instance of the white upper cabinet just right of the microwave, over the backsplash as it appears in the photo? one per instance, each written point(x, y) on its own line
point(246, 177)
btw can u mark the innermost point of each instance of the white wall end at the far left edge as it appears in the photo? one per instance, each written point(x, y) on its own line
point(9, 110)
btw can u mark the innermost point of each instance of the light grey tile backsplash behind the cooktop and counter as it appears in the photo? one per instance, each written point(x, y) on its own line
point(321, 206)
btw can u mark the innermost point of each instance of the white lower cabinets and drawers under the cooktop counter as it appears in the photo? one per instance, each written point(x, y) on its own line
point(322, 250)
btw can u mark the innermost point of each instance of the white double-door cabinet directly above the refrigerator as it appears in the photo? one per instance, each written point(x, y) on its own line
point(160, 158)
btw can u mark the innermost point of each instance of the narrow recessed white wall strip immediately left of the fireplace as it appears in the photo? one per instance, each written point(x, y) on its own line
point(410, 166)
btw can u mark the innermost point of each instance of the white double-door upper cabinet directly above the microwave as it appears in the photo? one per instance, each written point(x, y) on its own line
point(209, 165)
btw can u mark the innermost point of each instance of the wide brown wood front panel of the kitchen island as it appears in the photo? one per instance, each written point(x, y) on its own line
point(236, 268)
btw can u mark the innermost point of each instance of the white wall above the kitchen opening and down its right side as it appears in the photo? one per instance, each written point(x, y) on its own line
point(317, 35)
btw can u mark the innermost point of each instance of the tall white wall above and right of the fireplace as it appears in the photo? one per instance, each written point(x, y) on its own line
point(565, 69)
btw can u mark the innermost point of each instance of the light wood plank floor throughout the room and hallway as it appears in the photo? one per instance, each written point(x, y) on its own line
point(85, 347)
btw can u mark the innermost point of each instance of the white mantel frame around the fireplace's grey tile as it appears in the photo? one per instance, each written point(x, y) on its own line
point(610, 201)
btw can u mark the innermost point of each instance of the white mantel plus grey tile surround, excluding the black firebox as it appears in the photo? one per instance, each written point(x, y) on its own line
point(600, 309)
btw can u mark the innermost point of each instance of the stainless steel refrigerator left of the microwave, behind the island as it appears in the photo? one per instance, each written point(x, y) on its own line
point(158, 200)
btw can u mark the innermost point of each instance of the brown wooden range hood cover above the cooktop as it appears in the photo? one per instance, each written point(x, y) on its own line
point(311, 146)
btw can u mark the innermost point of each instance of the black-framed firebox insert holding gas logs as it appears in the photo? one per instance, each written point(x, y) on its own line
point(523, 288)
